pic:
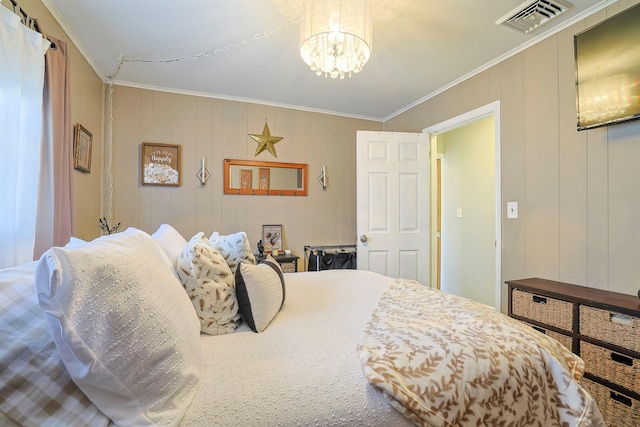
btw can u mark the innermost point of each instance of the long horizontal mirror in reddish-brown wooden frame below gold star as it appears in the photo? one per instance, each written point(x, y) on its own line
point(265, 178)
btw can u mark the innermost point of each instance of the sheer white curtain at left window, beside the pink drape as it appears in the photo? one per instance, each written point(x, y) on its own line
point(21, 82)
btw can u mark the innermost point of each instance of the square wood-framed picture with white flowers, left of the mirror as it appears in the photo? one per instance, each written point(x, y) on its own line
point(160, 164)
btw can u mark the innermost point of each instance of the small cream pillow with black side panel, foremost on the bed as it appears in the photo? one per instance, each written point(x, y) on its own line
point(261, 292)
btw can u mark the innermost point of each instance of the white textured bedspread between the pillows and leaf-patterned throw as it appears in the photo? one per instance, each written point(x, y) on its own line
point(304, 368)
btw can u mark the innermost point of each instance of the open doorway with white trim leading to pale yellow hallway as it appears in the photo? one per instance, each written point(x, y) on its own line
point(466, 215)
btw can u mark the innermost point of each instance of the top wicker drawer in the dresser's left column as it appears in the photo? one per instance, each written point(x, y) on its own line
point(550, 311)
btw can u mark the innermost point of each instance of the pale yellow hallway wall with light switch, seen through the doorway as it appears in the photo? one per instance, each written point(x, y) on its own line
point(468, 236)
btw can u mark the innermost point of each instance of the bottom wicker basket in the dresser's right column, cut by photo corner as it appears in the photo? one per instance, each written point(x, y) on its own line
point(617, 409)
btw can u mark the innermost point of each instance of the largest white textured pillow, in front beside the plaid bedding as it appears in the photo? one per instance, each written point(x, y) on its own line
point(124, 327)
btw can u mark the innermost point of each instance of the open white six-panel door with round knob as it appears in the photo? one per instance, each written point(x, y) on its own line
point(393, 196)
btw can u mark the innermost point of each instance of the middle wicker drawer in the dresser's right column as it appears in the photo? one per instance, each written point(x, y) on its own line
point(618, 368)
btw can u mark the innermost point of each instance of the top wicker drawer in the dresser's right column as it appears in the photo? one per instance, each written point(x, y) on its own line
point(608, 326)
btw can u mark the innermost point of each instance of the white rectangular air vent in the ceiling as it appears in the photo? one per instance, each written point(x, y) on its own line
point(531, 14)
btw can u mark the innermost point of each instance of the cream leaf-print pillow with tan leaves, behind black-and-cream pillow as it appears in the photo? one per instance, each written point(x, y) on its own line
point(210, 285)
